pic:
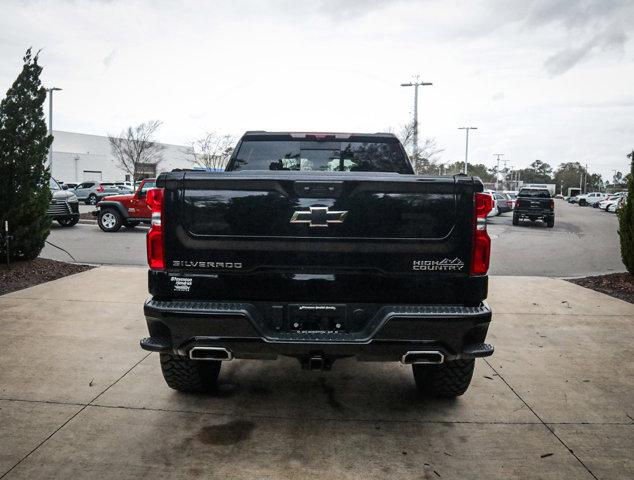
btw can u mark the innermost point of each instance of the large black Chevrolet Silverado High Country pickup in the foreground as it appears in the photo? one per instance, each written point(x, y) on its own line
point(318, 247)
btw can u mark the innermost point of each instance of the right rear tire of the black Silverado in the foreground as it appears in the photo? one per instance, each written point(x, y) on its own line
point(447, 380)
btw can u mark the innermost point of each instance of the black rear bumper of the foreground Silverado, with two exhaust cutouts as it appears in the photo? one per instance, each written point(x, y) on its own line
point(260, 330)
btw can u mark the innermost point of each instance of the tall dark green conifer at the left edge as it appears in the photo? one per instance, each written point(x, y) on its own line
point(24, 177)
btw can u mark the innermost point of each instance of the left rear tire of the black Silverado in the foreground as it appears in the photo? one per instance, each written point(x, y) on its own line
point(192, 376)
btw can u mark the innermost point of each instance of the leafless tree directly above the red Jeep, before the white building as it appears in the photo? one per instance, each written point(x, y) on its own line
point(134, 150)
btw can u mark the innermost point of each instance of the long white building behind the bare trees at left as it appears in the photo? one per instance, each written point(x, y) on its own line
point(79, 157)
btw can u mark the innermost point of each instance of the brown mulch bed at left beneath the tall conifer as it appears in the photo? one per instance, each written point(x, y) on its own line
point(27, 273)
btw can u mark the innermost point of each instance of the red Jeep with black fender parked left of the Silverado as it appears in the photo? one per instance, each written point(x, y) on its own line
point(125, 210)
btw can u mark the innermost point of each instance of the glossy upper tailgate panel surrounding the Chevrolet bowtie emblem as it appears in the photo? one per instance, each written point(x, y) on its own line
point(371, 214)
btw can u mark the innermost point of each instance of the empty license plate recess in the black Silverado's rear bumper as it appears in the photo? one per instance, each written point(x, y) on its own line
point(317, 318)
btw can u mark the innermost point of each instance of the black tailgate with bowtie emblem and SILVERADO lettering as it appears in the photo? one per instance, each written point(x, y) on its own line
point(335, 222)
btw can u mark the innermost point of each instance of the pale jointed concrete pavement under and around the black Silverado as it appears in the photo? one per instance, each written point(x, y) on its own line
point(79, 399)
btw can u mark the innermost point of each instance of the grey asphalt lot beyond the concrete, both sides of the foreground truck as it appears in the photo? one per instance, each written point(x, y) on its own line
point(583, 242)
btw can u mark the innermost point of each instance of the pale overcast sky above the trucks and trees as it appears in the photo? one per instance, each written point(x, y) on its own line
point(541, 79)
